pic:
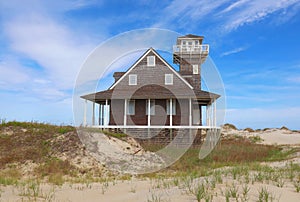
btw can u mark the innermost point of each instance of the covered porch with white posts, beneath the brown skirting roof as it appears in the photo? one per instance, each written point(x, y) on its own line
point(151, 114)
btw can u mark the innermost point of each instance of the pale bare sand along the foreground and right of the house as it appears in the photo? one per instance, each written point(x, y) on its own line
point(137, 190)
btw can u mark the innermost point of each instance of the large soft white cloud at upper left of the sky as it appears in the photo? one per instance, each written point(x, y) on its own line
point(51, 45)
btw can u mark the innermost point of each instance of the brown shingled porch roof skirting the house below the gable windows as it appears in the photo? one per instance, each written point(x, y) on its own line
point(151, 92)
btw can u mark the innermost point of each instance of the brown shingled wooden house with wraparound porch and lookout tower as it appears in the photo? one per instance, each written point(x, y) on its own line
point(152, 94)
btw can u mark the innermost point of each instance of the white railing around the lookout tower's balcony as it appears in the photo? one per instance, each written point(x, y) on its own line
point(191, 49)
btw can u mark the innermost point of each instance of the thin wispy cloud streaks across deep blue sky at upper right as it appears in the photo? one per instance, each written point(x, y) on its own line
point(224, 14)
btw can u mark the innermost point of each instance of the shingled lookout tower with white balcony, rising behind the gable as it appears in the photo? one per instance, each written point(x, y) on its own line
point(190, 53)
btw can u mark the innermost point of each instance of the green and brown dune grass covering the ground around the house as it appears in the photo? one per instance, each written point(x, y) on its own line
point(235, 164)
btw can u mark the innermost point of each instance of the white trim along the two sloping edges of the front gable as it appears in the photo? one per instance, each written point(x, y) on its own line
point(162, 59)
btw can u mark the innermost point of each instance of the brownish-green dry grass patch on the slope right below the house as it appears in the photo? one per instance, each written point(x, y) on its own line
point(231, 151)
